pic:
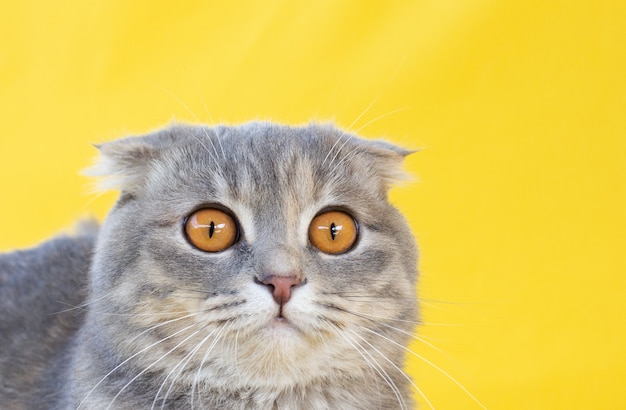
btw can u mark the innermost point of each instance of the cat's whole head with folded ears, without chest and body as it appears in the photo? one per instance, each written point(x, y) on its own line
point(258, 255)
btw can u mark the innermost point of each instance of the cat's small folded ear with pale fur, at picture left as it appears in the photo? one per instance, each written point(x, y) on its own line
point(122, 165)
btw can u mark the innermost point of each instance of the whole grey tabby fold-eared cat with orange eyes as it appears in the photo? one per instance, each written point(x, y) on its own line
point(258, 266)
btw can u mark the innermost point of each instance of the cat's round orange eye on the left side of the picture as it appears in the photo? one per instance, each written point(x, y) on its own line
point(211, 230)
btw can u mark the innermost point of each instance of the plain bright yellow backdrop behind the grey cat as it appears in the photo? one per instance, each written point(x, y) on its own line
point(519, 204)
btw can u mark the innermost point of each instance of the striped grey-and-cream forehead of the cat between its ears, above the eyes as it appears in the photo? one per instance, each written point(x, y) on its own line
point(269, 165)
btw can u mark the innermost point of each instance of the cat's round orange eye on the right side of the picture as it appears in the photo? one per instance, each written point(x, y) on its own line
point(333, 232)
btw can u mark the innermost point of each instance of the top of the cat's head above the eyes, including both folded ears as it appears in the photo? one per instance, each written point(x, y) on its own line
point(256, 164)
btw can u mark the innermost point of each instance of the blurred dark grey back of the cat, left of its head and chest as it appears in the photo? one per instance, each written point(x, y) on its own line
point(42, 291)
